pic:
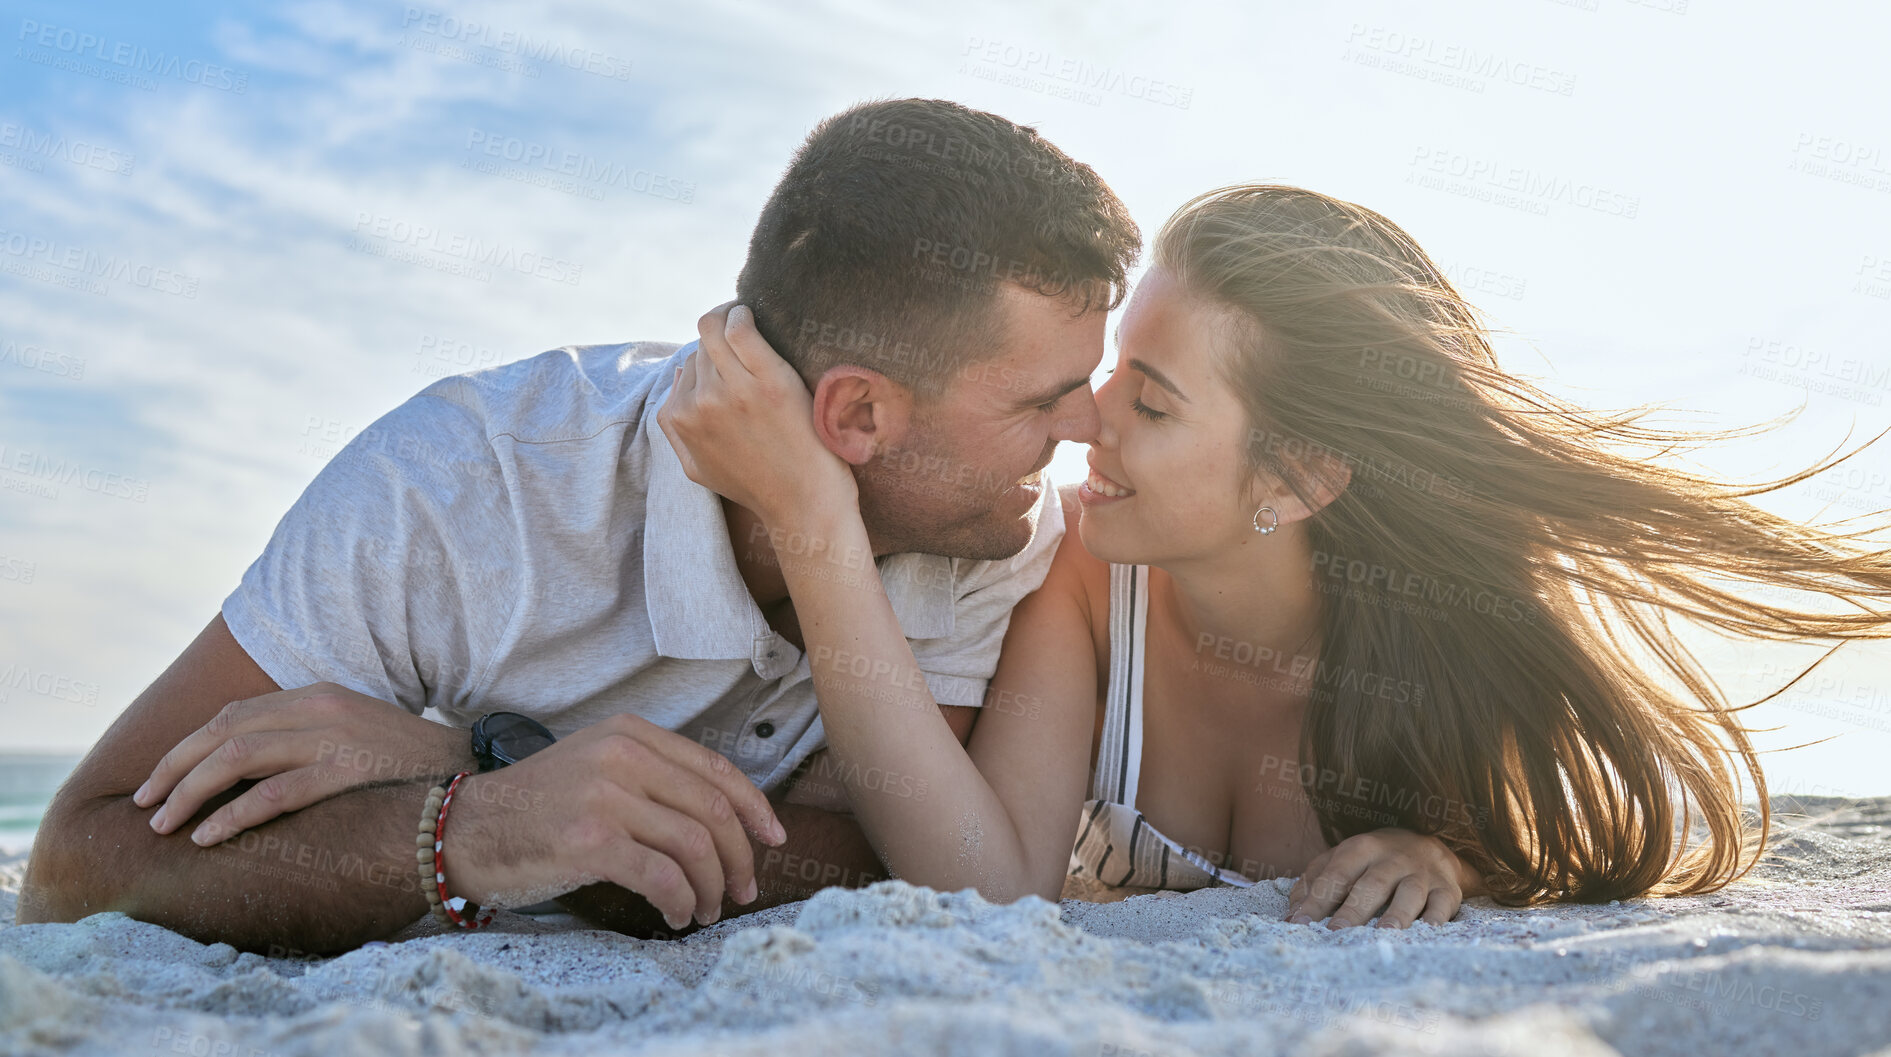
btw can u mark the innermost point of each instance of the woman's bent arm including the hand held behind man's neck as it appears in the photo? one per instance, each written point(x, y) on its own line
point(999, 820)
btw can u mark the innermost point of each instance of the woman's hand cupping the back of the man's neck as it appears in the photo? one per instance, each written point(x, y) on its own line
point(742, 425)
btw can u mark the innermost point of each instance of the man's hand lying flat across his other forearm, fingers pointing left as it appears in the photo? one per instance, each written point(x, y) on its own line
point(305, 746)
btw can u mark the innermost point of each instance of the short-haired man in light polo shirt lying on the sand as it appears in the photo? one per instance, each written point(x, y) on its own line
point(523, 542)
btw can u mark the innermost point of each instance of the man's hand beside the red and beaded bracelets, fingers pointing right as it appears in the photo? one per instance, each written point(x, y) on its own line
point(621, 801)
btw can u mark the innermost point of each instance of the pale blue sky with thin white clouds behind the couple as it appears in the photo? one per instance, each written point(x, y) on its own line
point(232, 237)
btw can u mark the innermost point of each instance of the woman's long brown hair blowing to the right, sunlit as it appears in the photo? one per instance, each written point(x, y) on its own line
point(1502, 553)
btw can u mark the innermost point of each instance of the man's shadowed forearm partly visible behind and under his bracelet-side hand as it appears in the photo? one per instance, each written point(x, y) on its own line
point(824, 850)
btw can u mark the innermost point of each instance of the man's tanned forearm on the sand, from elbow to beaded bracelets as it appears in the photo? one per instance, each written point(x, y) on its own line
point(321, 880)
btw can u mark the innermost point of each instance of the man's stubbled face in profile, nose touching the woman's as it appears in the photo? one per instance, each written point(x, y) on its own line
point(963, 481)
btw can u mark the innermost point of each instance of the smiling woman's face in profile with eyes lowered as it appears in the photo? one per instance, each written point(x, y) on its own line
point(1170, 479)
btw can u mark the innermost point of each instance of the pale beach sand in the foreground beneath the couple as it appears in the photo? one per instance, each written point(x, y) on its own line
point(1792, 962)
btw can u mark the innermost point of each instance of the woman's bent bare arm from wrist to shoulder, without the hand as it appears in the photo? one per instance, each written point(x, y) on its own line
point(999, 818)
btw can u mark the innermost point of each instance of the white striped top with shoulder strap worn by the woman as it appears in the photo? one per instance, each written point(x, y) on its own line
point(1117, 846)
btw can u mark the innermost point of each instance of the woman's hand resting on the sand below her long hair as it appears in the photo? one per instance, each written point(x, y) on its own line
point(1395, 875)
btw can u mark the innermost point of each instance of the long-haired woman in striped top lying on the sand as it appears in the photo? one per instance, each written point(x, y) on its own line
point(1345, 602)
